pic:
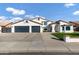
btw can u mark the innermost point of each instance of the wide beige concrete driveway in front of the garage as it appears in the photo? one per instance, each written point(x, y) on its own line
point(34, 43)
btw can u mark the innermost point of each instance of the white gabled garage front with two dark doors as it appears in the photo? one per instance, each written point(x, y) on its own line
point(27, 26)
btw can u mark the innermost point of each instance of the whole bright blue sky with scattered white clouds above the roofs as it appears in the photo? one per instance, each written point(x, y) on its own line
point(50, 11)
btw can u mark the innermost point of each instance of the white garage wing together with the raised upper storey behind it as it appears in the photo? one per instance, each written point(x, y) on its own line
point(37, 24)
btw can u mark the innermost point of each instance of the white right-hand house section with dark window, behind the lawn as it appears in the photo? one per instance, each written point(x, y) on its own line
point(61, 26)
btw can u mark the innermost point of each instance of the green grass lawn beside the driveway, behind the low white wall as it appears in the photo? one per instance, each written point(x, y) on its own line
point(60, 36)
